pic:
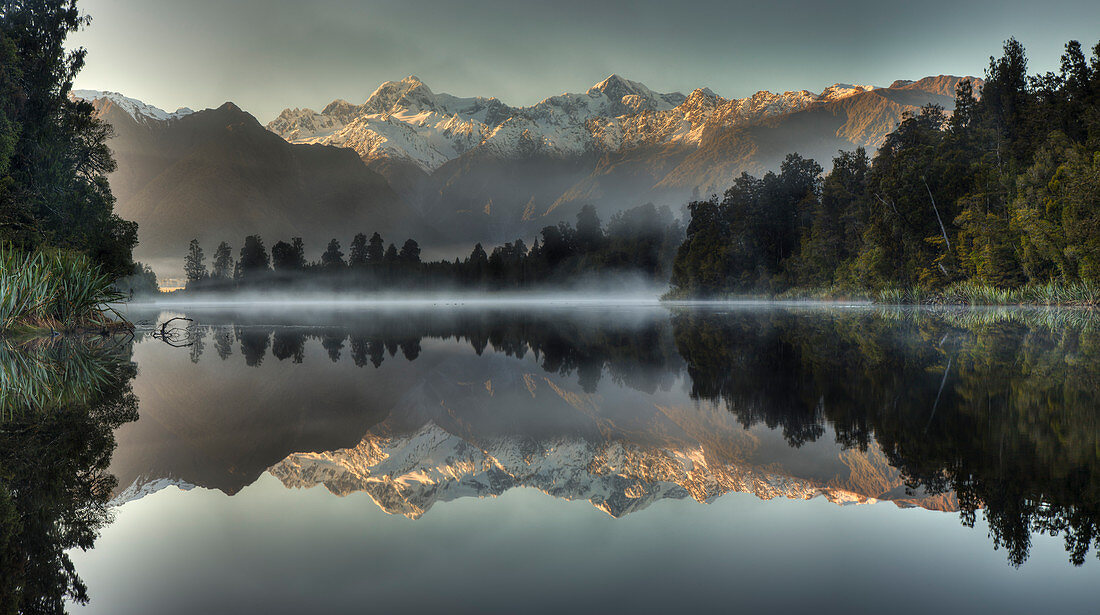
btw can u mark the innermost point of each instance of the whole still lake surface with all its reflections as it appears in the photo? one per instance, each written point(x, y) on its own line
point(570, 458)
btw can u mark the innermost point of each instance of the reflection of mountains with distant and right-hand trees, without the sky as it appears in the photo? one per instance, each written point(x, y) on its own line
point(981, 411)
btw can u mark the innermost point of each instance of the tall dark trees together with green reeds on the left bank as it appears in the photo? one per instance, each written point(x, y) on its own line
point(62, 245)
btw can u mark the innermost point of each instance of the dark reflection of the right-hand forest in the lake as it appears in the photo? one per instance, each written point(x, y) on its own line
point(999, 408)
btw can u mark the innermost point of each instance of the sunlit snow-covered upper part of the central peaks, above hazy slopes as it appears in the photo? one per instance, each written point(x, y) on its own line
point(406, 120)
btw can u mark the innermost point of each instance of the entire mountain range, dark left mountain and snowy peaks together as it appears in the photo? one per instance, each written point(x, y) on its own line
point(454, 171)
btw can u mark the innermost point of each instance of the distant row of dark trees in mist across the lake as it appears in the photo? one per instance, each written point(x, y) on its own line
point(642, 240)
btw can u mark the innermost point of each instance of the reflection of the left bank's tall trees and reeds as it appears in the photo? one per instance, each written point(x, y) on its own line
point(60, 404)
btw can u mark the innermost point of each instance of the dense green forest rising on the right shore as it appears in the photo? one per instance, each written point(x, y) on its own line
point(1003, 194)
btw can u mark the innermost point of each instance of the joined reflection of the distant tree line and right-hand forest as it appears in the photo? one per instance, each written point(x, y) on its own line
point(998, 407)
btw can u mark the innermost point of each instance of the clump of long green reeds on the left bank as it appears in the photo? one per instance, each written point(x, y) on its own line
point(58, 291)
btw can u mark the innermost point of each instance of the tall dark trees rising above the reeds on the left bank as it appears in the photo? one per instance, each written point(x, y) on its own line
point(54, 159)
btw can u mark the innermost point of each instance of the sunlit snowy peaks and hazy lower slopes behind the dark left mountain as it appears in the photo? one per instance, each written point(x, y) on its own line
point(493, 171)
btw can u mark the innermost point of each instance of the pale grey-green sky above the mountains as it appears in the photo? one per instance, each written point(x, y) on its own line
point(267, 56)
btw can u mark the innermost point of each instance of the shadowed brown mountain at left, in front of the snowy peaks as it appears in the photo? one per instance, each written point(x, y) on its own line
point(218, 174)
